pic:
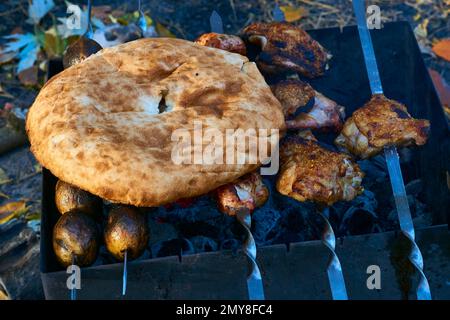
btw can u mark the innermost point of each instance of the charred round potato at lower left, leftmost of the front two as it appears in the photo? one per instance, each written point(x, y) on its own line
point(76, 233)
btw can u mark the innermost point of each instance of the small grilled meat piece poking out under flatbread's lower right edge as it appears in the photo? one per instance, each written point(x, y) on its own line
point(248, 192)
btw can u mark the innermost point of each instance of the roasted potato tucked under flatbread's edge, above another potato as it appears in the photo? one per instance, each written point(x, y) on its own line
point(69, 197)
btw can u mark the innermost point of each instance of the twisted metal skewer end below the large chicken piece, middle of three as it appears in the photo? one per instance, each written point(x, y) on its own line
point(334, 268)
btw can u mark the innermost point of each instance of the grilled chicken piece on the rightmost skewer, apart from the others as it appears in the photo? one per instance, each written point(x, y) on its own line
point(379, 123)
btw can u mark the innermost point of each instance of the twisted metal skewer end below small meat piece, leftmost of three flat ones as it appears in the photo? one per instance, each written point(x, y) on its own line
point(254, 280)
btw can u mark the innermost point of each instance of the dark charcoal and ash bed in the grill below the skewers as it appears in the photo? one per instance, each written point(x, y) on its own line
point(199, 227)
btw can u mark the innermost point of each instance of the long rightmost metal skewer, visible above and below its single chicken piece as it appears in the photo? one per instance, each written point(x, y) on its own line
point(391, 155)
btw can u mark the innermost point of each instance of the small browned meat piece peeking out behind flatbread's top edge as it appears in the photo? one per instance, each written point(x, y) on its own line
point(226, 42)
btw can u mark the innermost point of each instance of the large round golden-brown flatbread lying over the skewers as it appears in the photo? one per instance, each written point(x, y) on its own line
point(107, 124)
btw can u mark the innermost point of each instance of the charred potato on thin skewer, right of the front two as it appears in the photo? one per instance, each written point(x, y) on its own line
point(126, 230)
